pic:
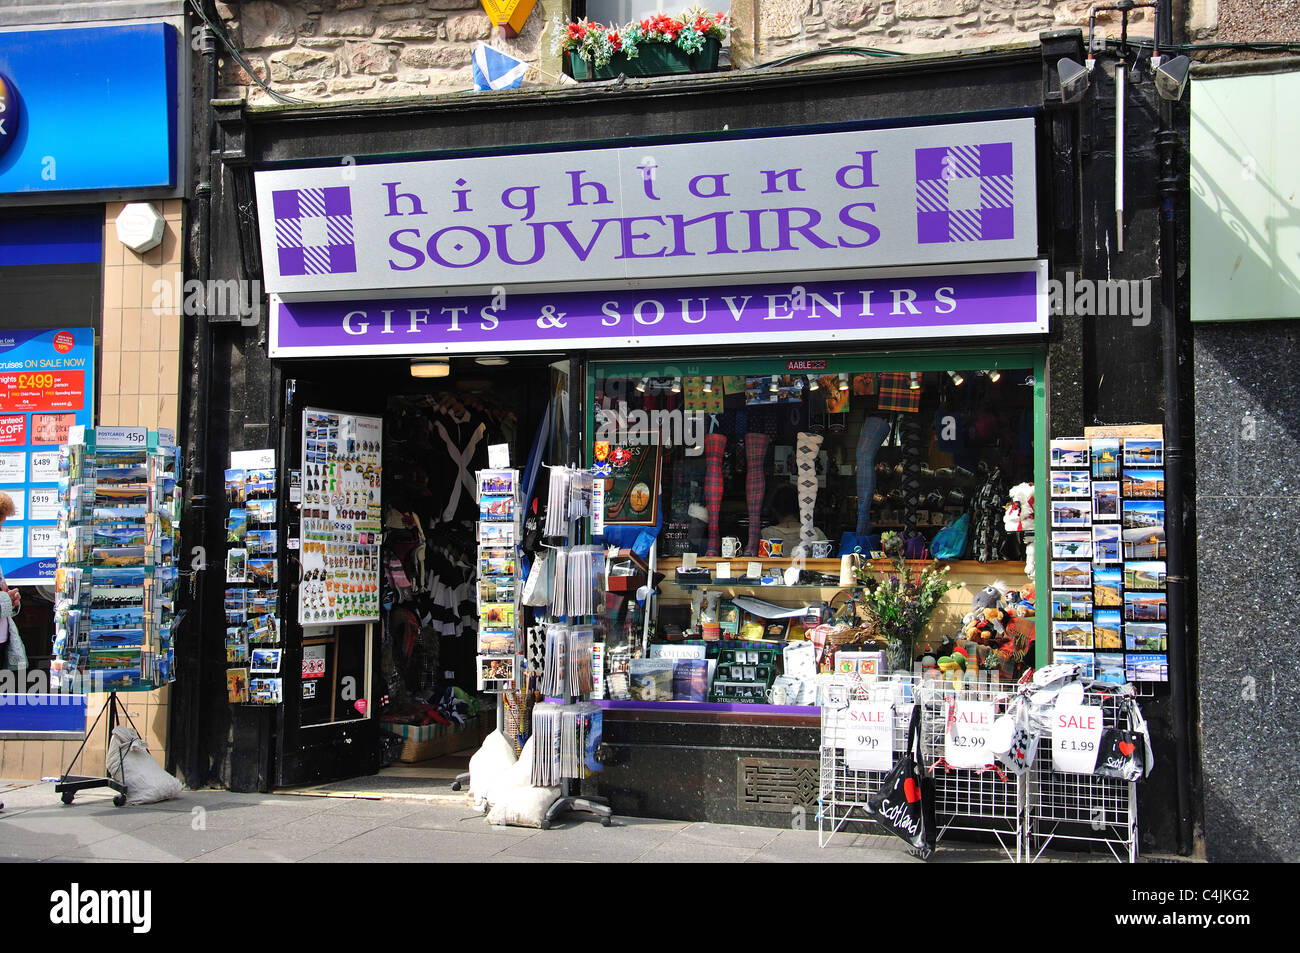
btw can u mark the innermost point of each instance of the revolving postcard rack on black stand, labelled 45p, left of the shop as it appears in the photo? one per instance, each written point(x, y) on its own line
point(116, 581)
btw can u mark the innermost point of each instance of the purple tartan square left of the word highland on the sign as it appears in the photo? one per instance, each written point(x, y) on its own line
point(314, 231)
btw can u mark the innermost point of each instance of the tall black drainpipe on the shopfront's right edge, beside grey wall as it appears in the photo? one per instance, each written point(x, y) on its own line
point(1176, 579)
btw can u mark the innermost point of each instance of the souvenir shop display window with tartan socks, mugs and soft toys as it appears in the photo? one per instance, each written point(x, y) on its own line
point(786, 499)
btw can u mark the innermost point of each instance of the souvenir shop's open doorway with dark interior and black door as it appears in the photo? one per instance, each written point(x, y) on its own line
point(413, 668)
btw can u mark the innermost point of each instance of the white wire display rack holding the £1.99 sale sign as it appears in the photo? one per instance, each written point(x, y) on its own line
point(1082, 808)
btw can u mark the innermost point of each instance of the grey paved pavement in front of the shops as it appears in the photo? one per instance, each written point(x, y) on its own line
point(227, 828)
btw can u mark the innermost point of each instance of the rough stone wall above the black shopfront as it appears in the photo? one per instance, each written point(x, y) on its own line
point(341, 50)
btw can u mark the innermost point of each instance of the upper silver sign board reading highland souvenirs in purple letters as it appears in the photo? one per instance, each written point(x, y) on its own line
point(740, 207)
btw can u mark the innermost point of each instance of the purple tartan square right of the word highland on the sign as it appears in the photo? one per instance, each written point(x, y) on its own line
point(965, 194)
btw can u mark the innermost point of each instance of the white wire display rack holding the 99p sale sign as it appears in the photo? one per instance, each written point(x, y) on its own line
point(843, 792)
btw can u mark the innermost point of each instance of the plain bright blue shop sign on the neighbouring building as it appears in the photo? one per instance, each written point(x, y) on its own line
point(89, 109)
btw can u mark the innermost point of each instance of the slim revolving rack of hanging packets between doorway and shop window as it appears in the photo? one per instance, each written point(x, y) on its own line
point(569, 734)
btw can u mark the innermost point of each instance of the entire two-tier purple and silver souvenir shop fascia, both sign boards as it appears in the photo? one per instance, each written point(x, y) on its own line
point(891, 233)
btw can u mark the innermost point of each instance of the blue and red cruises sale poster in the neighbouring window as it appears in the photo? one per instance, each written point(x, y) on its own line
point(47, 387)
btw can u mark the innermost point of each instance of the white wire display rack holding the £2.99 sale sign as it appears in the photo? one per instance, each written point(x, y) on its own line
point(989, 802)
